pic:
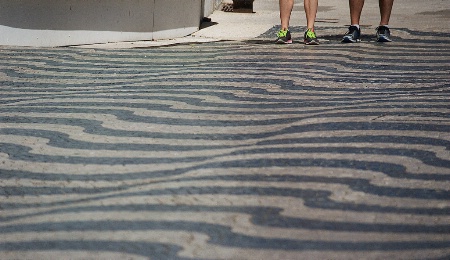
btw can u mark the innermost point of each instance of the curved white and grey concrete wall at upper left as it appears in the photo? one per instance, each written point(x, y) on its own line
point(71, 22)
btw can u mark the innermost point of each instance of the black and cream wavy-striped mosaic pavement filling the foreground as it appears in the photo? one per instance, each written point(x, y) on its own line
point(227, 150)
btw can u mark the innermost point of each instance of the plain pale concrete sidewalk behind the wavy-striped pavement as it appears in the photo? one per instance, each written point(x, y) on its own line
point(332, 20)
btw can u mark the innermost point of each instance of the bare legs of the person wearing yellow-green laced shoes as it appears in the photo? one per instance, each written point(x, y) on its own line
point(286, 7)
